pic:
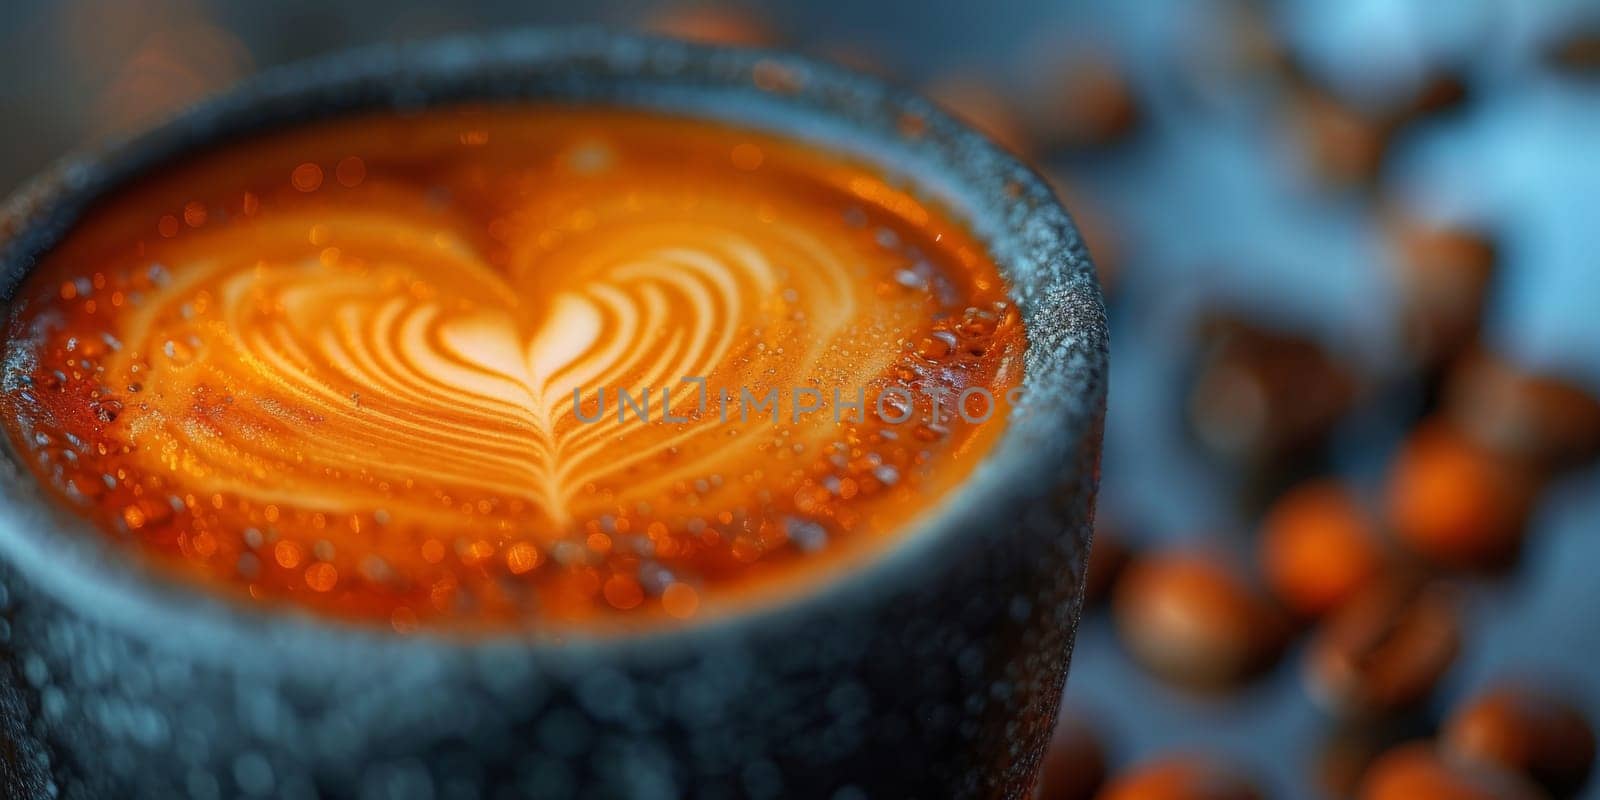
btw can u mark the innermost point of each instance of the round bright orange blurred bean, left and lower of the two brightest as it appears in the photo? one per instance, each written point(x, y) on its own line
point(1318, 548)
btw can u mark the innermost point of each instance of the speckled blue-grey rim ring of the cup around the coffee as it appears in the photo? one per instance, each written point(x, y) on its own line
point(1006, 204)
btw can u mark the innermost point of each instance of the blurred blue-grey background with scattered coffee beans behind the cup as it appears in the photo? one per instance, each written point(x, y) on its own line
point(1351, 524)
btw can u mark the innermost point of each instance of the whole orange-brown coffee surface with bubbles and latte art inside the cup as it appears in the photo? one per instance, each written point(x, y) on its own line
point(335, 367)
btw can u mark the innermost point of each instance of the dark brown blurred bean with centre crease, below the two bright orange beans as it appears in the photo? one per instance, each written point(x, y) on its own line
point(1385, 650)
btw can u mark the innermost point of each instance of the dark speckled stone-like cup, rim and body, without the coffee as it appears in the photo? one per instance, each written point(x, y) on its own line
point(934, 671)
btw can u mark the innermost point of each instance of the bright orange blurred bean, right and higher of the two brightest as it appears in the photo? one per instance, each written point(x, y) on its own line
point(1457, 503)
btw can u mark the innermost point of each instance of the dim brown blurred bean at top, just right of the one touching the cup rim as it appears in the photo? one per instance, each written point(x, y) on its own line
point(1089, 105)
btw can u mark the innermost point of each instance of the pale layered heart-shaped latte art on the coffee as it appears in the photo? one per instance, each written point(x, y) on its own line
point(391, 367)
